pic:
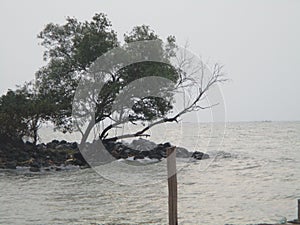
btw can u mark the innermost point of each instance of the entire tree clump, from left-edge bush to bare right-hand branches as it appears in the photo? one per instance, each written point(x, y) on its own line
point(71, 50)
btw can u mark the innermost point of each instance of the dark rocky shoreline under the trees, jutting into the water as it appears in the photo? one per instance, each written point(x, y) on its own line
point(58, 154)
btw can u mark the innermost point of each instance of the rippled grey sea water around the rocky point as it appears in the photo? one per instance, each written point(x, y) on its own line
point(253, 176)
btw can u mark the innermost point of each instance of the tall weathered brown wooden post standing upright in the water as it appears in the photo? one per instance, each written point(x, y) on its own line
point(172, 185)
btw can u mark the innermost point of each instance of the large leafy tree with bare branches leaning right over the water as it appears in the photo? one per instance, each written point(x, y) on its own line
point(71, 50)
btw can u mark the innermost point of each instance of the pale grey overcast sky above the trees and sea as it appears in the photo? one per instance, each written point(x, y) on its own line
point(258, 42)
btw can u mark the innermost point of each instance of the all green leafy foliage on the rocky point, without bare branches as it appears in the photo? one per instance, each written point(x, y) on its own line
point(70, 49)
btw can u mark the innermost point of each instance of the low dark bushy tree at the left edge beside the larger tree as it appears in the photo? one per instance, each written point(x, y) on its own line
point(22, 113)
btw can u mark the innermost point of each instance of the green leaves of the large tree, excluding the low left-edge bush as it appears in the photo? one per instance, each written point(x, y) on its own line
point(71, 49)
